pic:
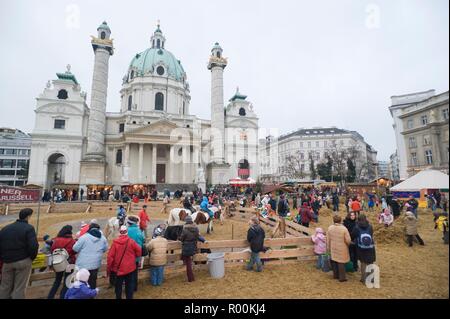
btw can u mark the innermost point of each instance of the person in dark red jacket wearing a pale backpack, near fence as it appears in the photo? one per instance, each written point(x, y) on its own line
point(63, 240)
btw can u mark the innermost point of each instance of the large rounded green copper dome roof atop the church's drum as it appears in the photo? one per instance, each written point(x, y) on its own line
point(148, 61)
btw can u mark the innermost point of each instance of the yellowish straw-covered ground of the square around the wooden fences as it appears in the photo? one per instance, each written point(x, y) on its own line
point(417, 272)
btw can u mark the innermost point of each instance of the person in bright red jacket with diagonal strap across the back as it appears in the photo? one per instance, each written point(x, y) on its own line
point(122, 261)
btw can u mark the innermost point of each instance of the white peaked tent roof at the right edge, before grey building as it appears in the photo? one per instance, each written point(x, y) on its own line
point(426, 179)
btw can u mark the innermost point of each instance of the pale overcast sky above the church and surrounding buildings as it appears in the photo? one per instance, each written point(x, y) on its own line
point(301, 63)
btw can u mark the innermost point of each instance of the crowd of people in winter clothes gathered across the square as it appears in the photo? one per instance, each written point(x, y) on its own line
point(347, 245)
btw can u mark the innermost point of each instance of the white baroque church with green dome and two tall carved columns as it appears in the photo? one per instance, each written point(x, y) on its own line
point(153, 140)
